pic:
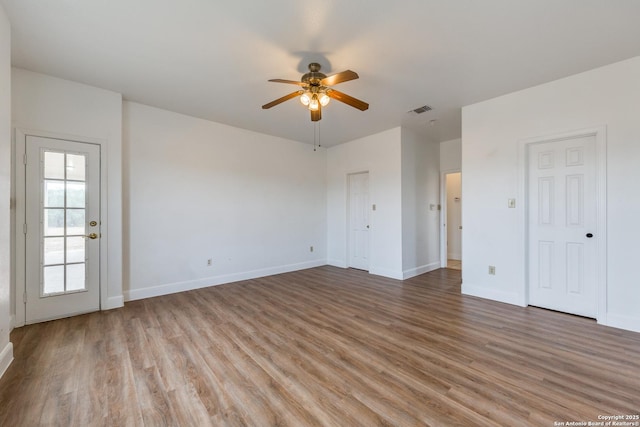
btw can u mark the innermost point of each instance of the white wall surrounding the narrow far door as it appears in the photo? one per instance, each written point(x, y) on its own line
point(380, 155)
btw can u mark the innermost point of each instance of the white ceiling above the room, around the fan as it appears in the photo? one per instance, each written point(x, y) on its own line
point(212, 58)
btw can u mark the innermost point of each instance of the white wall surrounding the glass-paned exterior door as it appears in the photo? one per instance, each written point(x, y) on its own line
point(42, 103)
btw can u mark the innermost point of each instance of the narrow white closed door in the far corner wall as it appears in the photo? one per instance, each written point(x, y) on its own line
point(359, 221)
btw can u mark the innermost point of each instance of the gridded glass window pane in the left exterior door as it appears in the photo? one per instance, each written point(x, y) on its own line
point(63, 218)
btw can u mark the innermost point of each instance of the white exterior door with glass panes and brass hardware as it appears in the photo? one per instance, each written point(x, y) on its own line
point(62, 228)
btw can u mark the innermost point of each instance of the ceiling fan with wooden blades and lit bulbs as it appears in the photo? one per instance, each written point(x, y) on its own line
point(316, 91)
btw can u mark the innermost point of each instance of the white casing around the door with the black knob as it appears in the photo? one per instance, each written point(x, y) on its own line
point(600, 135)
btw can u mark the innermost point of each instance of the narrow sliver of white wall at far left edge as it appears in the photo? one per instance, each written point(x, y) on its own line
point(6, 349)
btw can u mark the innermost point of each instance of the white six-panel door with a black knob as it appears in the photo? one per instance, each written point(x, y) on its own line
point(562, 225)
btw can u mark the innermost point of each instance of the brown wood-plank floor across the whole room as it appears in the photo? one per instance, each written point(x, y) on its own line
point(324, 346)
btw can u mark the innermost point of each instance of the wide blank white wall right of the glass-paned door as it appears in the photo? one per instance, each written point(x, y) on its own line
point(196, 189)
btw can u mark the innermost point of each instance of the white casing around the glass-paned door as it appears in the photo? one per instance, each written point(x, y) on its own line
point(20, 137)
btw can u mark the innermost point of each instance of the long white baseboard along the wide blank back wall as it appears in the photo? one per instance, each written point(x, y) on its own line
point(171, 288)
